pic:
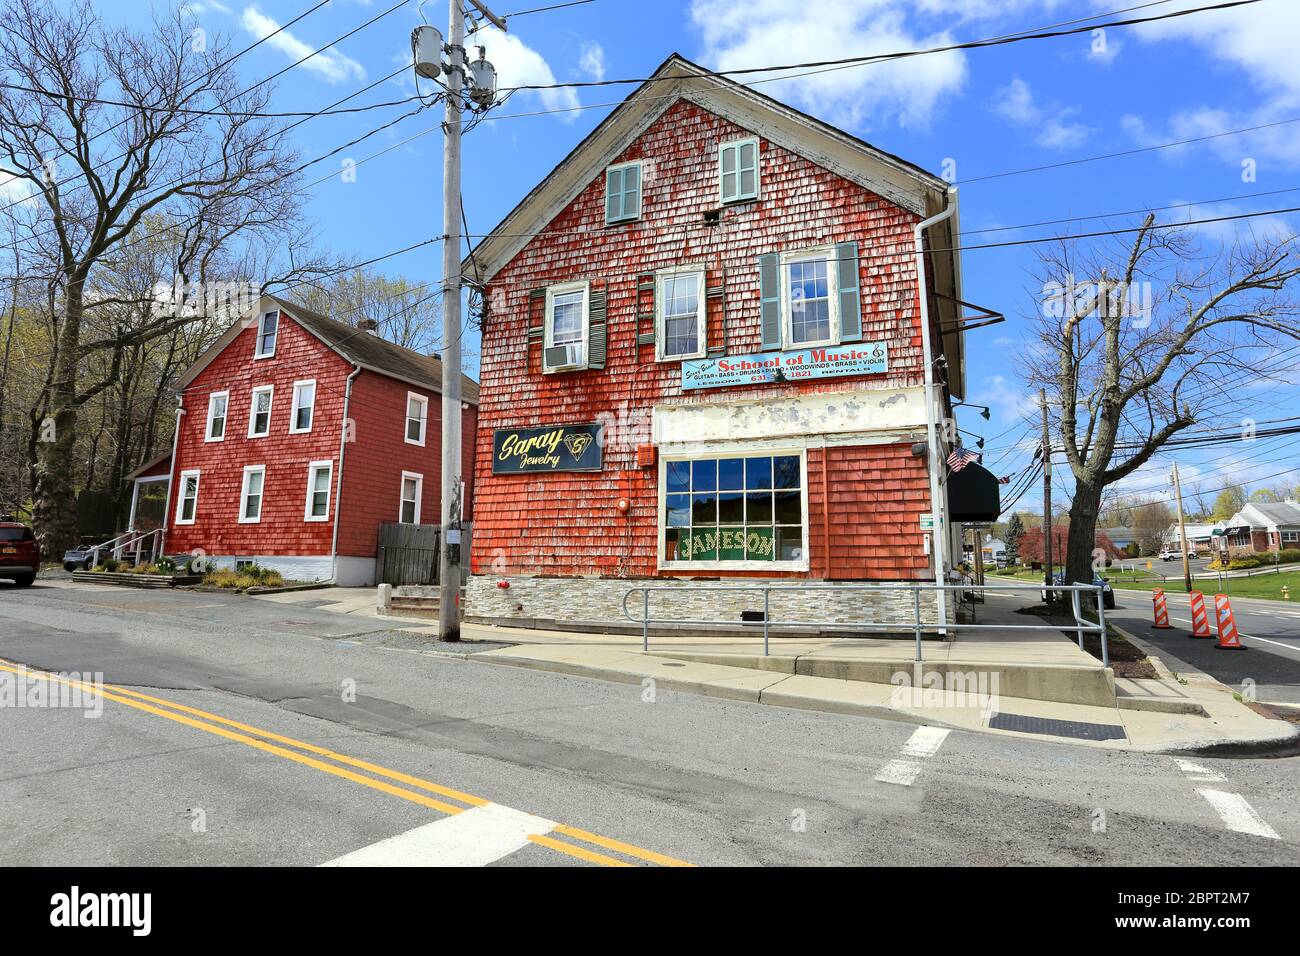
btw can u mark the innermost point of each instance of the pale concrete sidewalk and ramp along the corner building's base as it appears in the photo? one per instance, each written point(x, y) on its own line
point(1046, 687)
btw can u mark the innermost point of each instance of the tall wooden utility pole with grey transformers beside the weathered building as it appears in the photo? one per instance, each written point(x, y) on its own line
point(482, 88)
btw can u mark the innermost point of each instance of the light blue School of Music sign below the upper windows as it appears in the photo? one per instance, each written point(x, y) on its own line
point(860, 358)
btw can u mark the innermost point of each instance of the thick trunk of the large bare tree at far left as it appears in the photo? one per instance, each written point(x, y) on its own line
point(55, 507)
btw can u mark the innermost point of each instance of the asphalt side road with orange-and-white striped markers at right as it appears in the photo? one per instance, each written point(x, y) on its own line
point(1271, 630)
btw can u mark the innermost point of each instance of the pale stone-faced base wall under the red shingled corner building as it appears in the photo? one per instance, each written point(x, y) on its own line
point(597, 603)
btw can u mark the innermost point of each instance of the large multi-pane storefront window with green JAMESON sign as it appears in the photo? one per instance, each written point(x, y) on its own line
point(734, 509)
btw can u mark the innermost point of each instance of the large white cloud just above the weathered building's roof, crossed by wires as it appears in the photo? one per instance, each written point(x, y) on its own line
point(777, 32)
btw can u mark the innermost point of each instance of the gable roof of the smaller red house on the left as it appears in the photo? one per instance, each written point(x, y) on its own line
point(361, 348)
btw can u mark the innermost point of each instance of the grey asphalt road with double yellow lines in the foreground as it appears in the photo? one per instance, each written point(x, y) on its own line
point(275, 763)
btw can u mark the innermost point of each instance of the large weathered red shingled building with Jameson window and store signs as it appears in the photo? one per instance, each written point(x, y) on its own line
point(705, 360)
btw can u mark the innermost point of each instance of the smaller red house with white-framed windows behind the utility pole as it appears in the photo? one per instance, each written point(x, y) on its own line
point(297, 438)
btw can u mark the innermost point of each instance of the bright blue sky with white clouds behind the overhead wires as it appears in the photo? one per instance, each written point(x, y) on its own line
point(982, 113)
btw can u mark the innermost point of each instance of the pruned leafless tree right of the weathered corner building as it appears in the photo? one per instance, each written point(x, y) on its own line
point(1139, 343)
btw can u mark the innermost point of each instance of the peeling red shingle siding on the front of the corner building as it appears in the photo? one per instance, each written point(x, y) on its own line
point(567, 524)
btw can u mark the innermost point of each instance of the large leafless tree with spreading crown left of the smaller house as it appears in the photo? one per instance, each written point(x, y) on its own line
point(110, 127)
